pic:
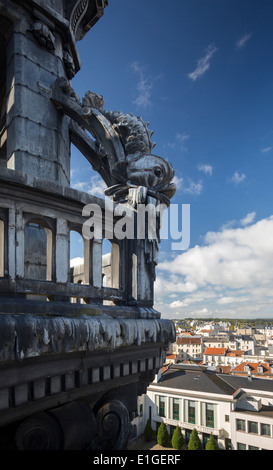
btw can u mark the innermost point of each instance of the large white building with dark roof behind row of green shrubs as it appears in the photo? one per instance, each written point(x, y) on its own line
point(236, 410)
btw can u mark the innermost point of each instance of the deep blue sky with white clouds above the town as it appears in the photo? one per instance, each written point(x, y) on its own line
point(201, 71)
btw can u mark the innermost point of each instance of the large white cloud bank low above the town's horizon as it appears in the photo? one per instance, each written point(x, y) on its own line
point(231, 274)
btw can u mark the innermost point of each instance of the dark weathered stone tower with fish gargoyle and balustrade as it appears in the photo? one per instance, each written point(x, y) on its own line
point(72, 348)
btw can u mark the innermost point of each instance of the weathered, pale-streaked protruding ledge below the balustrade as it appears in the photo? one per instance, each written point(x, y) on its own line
point(49, 335)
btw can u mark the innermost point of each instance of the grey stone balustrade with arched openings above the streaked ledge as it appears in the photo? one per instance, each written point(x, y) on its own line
point(131, 277)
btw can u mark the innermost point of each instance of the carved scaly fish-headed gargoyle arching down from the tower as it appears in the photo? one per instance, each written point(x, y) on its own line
point(121, 150)
